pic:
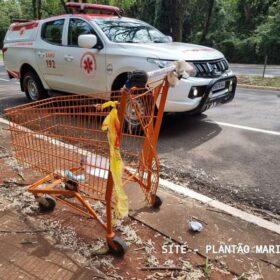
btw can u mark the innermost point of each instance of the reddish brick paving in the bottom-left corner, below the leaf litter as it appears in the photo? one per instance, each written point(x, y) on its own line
point(27, 255)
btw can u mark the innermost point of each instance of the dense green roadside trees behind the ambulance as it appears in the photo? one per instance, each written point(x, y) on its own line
point(244, 30)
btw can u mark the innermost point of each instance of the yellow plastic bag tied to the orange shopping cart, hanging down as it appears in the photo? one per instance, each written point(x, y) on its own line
point(112, 125)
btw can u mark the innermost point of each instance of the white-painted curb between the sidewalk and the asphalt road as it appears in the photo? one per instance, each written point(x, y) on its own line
point(211, 202)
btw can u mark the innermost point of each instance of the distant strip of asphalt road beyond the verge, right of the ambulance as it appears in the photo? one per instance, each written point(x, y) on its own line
point(257, 70)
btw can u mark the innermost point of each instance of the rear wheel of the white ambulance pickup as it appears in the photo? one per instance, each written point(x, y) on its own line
point(33, 87)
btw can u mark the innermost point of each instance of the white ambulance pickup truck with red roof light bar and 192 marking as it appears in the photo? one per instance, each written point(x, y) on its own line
point(86, 53)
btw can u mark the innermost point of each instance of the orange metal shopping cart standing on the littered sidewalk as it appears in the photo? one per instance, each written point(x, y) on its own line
point(62, 137)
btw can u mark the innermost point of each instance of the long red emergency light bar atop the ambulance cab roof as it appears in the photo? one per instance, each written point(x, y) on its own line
point(82, 7)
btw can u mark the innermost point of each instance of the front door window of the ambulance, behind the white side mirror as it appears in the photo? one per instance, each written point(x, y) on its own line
point(78, 27)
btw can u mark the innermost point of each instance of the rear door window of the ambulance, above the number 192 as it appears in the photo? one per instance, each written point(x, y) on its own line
point(52, 31)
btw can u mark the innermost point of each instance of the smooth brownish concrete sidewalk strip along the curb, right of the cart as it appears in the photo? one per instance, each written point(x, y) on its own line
point(219, 229)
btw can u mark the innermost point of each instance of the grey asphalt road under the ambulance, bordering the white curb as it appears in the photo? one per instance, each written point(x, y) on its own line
point(231, 152)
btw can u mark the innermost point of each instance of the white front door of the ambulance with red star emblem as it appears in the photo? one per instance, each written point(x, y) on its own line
point(84, 70)
